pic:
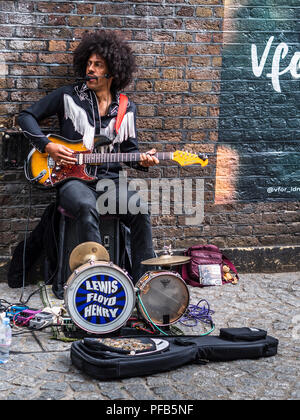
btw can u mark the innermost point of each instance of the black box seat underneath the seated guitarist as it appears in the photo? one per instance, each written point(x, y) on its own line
point(115, 238)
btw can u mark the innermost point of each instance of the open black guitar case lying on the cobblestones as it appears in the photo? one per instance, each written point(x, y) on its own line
point(115, 358)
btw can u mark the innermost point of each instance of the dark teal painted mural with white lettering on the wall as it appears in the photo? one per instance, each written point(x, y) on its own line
point(259, 128)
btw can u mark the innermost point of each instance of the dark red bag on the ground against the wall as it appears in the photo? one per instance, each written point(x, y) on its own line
point(205, 255)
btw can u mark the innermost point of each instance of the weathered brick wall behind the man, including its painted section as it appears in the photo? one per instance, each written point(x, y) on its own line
point(195, 89)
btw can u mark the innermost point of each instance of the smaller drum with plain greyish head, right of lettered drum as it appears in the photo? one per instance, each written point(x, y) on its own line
point(162, 296)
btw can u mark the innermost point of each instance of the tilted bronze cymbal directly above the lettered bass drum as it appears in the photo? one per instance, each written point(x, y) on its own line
point(86, 252)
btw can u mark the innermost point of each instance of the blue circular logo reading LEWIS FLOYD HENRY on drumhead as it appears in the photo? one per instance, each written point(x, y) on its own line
point(100, 299)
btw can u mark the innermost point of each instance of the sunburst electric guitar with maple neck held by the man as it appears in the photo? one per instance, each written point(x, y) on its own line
point(47, 173)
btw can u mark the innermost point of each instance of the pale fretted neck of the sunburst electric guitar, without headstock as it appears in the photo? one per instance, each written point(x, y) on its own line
point(97, 158)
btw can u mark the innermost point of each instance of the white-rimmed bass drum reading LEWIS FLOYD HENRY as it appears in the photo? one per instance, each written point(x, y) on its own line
point(99, 297)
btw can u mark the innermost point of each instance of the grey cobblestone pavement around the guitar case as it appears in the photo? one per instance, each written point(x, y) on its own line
point(40, 368)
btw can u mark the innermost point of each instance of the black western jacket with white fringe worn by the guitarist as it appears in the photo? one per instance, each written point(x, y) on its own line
point(77, 110)
